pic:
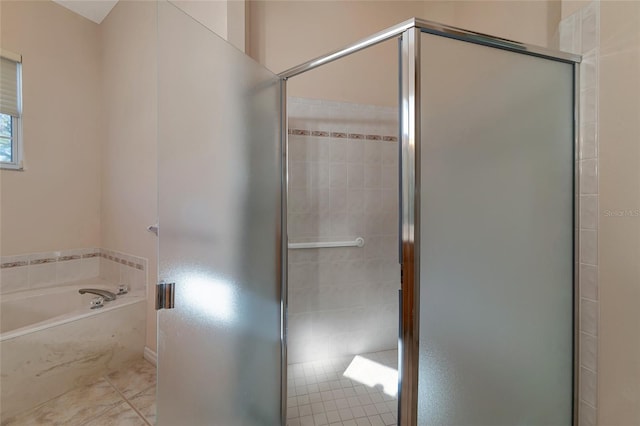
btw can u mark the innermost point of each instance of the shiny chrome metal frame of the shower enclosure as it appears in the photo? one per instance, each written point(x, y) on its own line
point(408, 33)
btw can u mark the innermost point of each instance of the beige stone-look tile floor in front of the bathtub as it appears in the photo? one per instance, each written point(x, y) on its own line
point(123, 398)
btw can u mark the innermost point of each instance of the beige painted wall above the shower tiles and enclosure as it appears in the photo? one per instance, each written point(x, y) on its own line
point(283, 34)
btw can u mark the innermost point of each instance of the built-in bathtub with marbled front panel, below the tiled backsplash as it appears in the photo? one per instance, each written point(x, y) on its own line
point(51, 341)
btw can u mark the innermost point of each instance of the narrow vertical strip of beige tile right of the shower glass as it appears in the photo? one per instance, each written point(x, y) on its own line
point(580, 33)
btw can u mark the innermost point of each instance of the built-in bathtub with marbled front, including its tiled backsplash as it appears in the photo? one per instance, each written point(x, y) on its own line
point(51, 341)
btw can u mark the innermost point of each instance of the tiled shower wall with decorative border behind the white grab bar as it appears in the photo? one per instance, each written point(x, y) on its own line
point(343, 184)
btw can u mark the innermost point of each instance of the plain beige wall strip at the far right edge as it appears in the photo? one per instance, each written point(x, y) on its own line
point(619, 236)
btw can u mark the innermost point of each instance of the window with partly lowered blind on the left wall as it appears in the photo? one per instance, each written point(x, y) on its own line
point(10, 110)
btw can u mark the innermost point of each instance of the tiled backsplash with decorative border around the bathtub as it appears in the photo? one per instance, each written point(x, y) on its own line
point(48, 269)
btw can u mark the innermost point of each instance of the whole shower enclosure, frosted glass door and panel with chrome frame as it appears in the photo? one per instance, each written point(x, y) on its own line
point(486, 154)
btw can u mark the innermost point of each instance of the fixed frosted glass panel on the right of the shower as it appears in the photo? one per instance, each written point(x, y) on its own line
point(496, 236)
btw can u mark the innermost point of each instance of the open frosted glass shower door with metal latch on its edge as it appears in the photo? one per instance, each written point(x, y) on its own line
point(219, 177)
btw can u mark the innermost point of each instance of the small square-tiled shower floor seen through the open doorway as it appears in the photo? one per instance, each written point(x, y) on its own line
point(319, 394)
